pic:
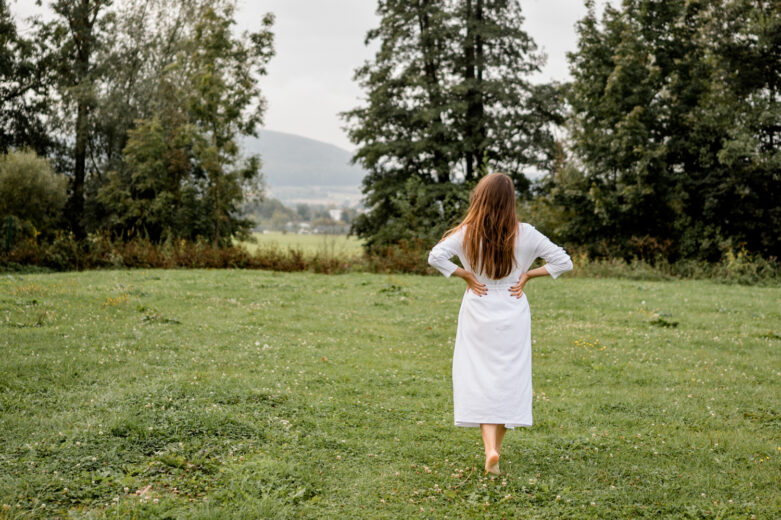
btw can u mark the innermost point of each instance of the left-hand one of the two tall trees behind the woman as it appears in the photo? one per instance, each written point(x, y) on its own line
point(403, 131)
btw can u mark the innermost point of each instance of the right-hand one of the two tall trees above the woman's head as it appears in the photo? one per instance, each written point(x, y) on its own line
point(506, 120)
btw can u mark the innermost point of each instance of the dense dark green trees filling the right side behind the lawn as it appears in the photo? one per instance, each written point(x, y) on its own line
point(672, 133)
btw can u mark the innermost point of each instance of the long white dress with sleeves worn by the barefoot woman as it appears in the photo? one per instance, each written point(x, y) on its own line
point(492, 360)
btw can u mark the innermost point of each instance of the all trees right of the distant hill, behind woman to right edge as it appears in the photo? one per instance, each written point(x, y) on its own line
point(663, 145)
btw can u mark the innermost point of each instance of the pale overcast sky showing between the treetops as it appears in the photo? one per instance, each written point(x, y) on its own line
point(319, 43)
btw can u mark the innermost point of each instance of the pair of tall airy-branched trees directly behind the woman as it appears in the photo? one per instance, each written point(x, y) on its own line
point(447, 99)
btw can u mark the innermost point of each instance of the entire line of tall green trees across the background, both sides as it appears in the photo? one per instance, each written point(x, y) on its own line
point(664, 144)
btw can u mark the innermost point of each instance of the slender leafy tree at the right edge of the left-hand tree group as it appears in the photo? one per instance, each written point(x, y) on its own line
point(224, 102)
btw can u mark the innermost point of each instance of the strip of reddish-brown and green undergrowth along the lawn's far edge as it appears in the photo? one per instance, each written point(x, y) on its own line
point(99, 251)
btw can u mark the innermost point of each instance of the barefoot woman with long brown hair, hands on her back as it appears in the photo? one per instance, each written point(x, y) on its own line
point(492, 386)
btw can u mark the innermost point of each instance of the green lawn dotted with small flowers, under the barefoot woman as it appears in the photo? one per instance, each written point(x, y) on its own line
point(251, 394)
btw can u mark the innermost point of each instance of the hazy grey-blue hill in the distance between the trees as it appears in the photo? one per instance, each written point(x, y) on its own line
point(294, 161)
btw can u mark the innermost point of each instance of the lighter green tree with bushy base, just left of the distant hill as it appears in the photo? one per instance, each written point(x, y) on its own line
point(182, 175)
